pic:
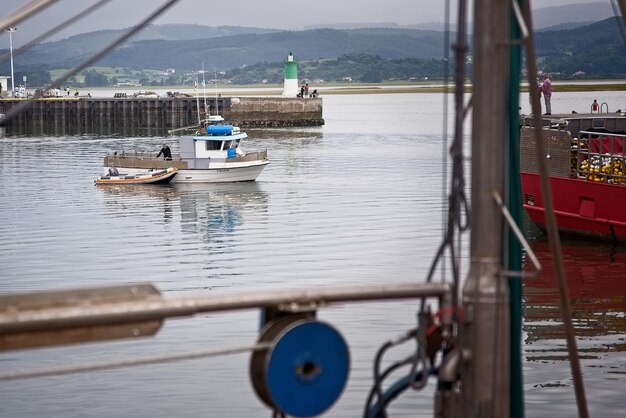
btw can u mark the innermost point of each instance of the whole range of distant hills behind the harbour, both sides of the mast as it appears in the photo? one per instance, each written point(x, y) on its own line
point(568, 45)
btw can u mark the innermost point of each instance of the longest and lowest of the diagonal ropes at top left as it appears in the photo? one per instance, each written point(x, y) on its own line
point(117, 42)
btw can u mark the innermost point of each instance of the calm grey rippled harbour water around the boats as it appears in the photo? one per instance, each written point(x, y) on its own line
point(356, 201)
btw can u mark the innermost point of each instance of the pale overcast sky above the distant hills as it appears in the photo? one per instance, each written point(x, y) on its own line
point(276, 14)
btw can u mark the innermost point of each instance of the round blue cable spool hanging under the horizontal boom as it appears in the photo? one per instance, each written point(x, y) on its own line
point(305, 370)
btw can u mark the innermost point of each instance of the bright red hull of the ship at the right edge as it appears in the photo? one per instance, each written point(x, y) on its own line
point(591, 209)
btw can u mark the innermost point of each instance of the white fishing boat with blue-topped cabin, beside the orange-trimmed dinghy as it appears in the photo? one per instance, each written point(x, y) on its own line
point(213, 155)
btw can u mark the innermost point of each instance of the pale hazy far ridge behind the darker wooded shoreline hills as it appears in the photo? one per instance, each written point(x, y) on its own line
point(185, 47)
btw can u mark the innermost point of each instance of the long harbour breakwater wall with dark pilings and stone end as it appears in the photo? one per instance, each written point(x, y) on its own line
point(154, 116)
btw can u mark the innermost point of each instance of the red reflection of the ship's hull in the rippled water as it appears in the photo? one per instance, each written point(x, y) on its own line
point(597, 291)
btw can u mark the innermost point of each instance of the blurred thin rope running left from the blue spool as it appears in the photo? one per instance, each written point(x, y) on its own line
point(58, 371)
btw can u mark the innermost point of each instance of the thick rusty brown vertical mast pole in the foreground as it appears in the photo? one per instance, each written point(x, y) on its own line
point(485, 332)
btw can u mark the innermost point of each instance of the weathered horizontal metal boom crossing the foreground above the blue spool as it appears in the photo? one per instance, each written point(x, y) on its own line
point(45, 312)
